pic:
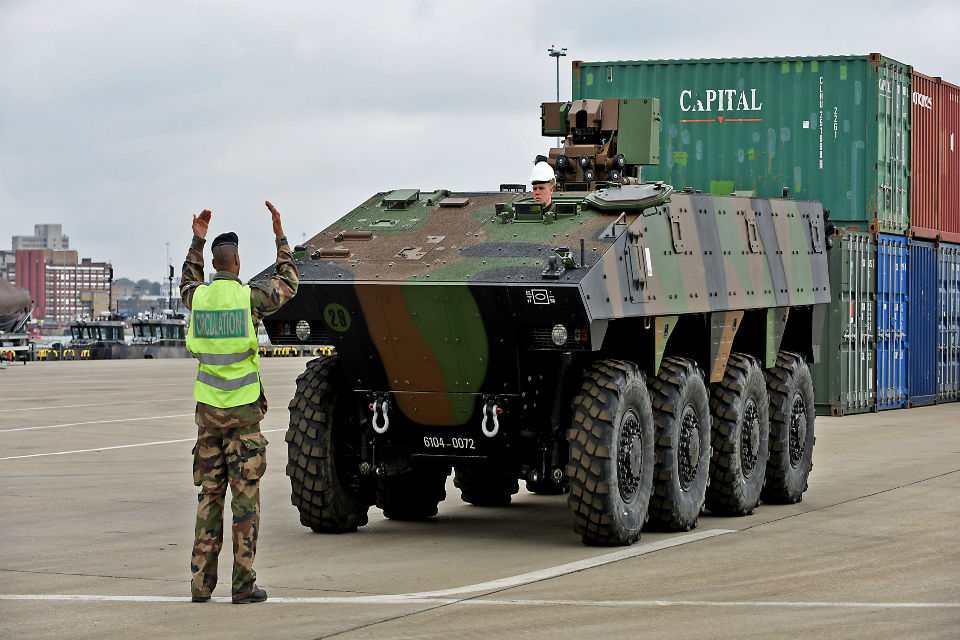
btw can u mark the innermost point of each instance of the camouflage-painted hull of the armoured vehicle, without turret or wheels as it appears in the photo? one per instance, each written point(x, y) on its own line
point(430, 296)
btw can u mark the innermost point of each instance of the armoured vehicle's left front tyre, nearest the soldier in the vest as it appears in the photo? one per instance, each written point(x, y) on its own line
point(322, 452)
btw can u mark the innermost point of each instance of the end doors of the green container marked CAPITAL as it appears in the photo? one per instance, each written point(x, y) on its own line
point(893, 145)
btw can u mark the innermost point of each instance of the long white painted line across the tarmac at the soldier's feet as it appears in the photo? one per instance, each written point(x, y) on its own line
point(403, 599)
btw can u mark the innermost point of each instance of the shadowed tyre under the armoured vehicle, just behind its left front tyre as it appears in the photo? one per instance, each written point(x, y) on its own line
point(413, 495)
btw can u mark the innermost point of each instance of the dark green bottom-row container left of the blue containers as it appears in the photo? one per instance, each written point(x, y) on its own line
point(844, 380)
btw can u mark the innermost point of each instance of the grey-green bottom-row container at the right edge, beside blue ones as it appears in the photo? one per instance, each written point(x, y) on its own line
point(948, 342)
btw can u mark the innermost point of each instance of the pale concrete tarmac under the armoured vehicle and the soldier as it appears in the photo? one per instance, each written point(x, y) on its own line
point(98, 509)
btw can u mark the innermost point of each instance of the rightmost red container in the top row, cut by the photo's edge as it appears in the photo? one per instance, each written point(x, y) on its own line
point(949, 162)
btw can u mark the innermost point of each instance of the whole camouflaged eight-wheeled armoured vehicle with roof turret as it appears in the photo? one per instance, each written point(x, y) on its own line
point(642, 348)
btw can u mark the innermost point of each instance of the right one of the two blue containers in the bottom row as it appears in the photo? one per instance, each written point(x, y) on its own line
point(922, 322)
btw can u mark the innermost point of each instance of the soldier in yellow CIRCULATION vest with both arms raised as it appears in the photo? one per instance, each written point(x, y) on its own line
point(230, 449)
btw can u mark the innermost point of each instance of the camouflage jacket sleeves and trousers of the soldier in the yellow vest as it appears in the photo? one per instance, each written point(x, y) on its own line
point(230, 448)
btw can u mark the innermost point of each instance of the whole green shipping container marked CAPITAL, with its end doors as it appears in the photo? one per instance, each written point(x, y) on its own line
point(833, 128)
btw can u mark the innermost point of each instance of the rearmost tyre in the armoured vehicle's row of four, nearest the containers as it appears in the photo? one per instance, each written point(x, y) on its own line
point(791, 429)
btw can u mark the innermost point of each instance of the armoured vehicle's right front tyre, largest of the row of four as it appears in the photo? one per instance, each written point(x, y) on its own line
point(610, 470)
